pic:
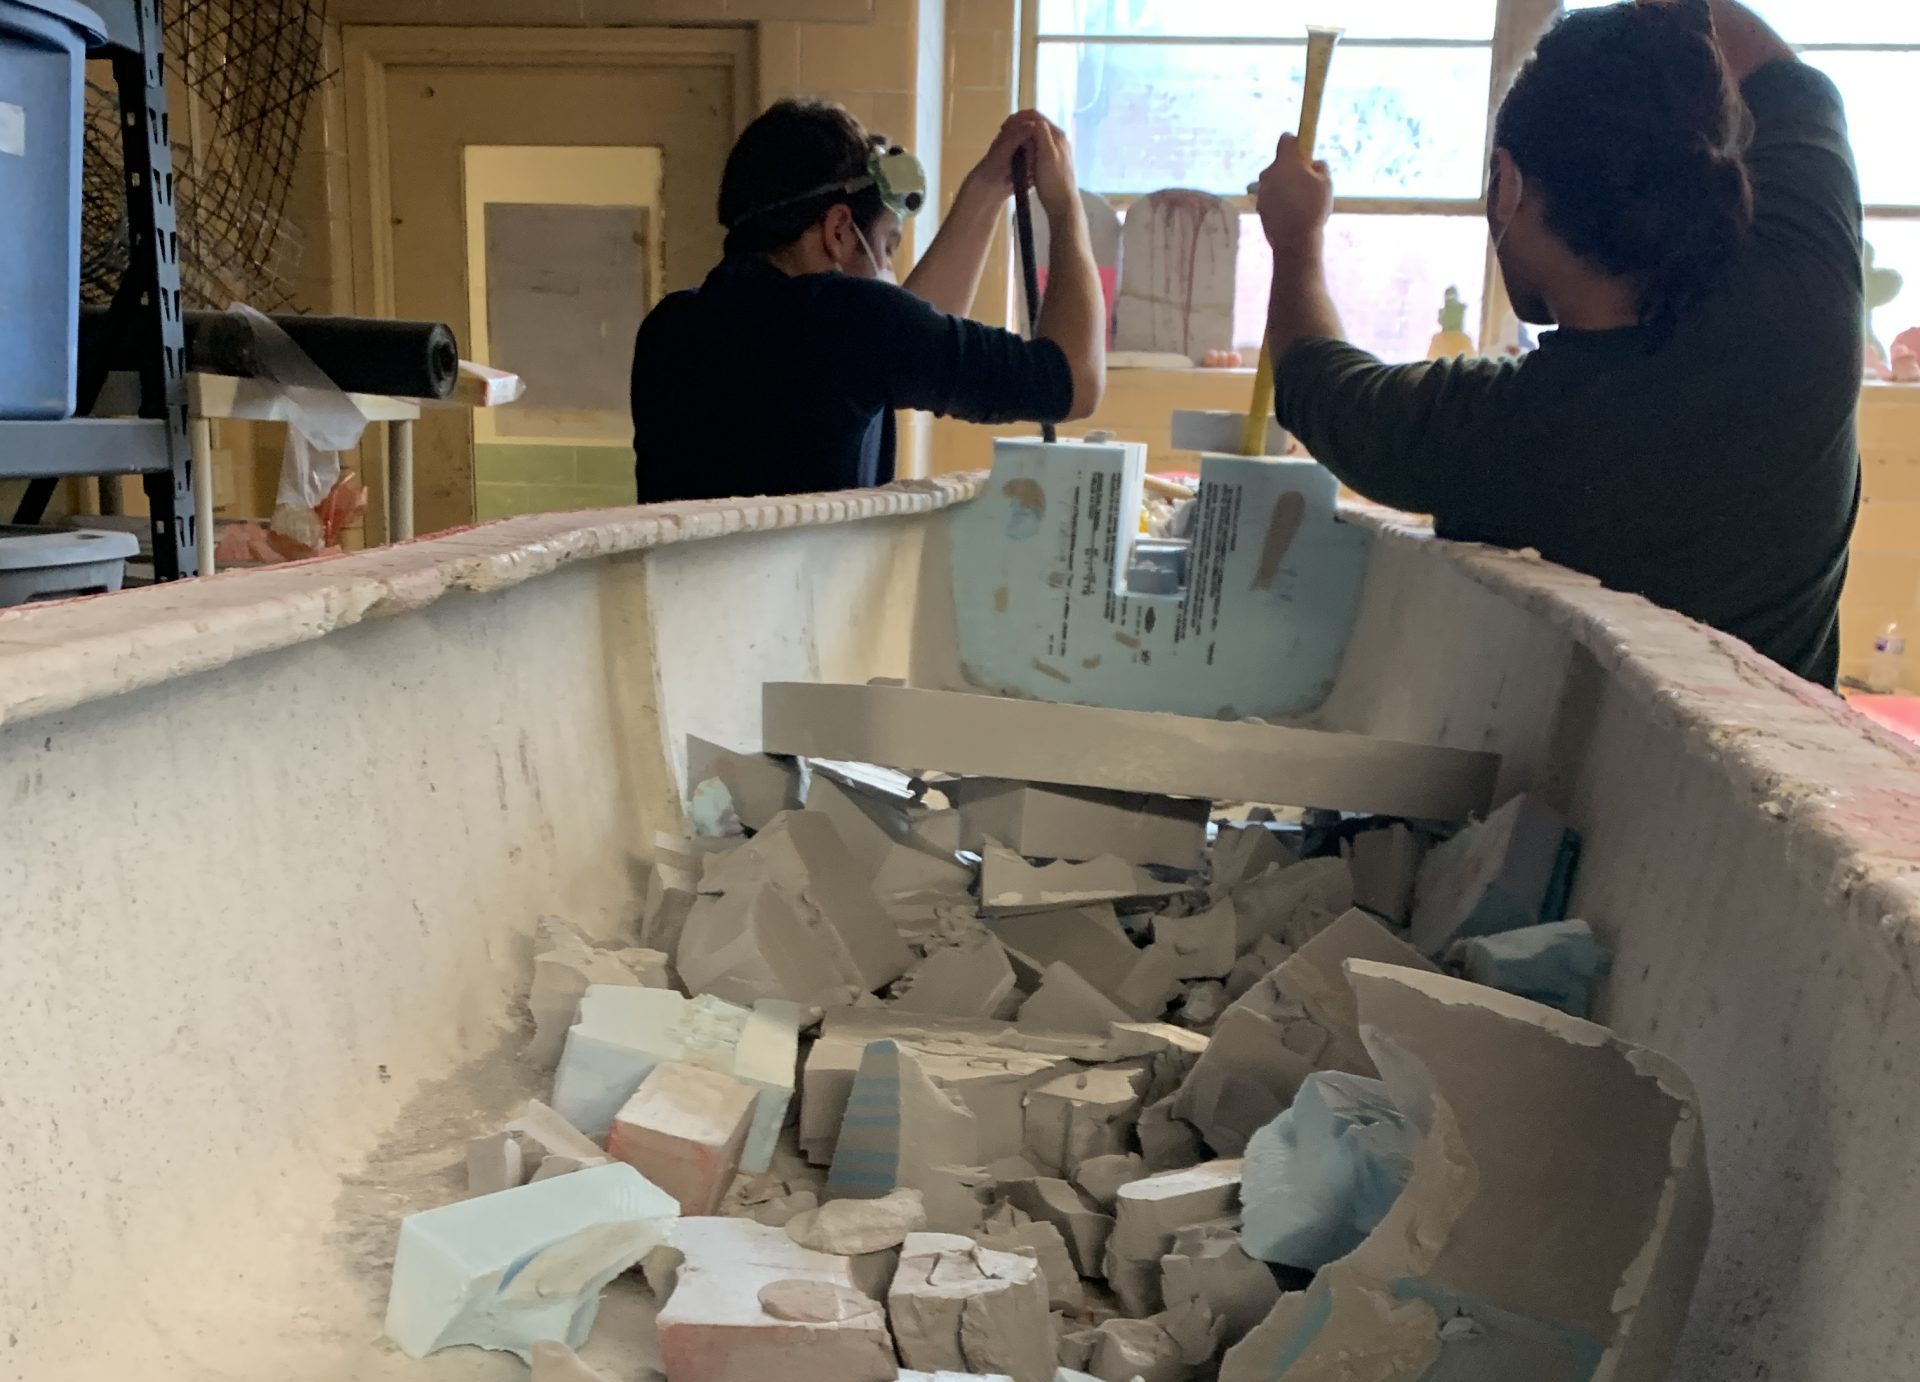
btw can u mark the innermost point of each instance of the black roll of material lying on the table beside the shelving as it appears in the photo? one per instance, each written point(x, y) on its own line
point(358, 354)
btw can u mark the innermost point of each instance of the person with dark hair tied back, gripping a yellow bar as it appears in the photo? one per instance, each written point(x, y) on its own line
point(1673, 191)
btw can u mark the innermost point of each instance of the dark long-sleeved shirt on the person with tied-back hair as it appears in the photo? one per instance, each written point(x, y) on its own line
point(1716, 473)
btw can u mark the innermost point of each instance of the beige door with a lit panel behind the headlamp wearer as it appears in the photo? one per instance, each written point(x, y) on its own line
point(562, 254)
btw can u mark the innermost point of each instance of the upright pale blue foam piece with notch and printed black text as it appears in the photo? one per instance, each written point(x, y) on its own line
point(1044, 611)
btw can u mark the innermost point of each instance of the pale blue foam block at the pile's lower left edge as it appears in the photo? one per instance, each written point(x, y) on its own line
point(510, 1270)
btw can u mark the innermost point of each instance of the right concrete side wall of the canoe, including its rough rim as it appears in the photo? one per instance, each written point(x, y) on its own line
point(1754, 853)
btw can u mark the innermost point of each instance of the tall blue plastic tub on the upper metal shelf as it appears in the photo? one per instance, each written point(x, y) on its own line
point(43, 83)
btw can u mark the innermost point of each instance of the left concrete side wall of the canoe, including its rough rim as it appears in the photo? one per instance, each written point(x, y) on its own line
point(266, 920)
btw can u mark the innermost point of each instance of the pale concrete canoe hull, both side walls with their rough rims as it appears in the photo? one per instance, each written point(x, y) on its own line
point(272, 849)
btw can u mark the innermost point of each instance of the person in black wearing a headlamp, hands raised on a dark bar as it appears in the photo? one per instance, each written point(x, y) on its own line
point(784, 369)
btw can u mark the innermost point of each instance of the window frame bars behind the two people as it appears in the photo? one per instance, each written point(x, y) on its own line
point(1518, 28)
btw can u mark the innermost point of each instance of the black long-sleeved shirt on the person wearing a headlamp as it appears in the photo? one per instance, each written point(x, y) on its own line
point(759, 383)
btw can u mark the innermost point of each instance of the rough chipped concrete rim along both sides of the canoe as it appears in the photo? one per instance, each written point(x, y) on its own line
point(1848, 788)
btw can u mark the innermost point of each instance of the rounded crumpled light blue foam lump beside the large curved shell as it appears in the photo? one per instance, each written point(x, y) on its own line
point(1324, 1174)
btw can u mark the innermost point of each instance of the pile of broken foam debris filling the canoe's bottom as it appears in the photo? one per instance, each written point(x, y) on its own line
point(963, 1076)
